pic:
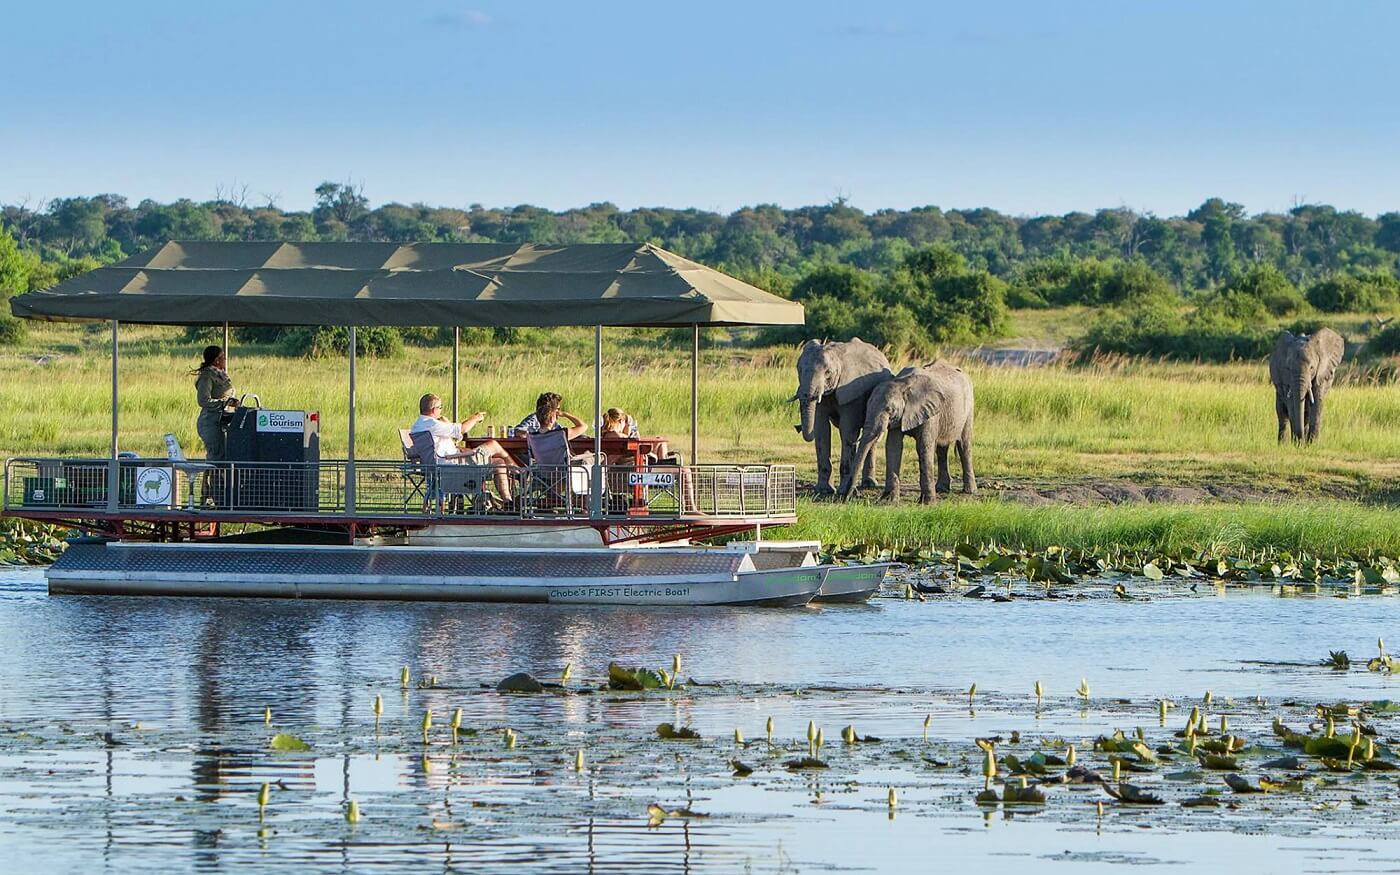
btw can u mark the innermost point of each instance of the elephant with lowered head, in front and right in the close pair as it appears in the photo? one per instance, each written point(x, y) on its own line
point(933, 405)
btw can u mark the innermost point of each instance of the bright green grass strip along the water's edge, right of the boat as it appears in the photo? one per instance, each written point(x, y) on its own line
point(1328, 528)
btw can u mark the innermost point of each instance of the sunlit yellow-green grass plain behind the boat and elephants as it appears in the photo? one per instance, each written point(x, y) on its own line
point(1143, 423)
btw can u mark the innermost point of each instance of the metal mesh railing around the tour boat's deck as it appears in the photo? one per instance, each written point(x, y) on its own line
point(395, 489)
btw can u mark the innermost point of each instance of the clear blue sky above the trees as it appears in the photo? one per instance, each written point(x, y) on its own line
point(1028, 107)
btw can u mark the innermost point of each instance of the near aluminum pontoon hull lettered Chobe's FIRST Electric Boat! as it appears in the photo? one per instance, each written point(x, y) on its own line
point(678, 577)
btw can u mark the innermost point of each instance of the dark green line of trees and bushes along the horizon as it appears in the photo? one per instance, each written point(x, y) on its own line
point(906, 278)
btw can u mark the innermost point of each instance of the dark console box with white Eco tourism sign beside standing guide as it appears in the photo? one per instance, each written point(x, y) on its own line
point(293, 437)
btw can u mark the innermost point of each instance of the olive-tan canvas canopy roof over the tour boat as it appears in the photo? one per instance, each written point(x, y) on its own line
point(465, 285)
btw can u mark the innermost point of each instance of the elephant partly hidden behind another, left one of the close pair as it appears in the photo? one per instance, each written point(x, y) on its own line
point(834, 383)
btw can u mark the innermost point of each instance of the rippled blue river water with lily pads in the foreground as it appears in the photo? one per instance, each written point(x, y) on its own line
point(181, 687)
